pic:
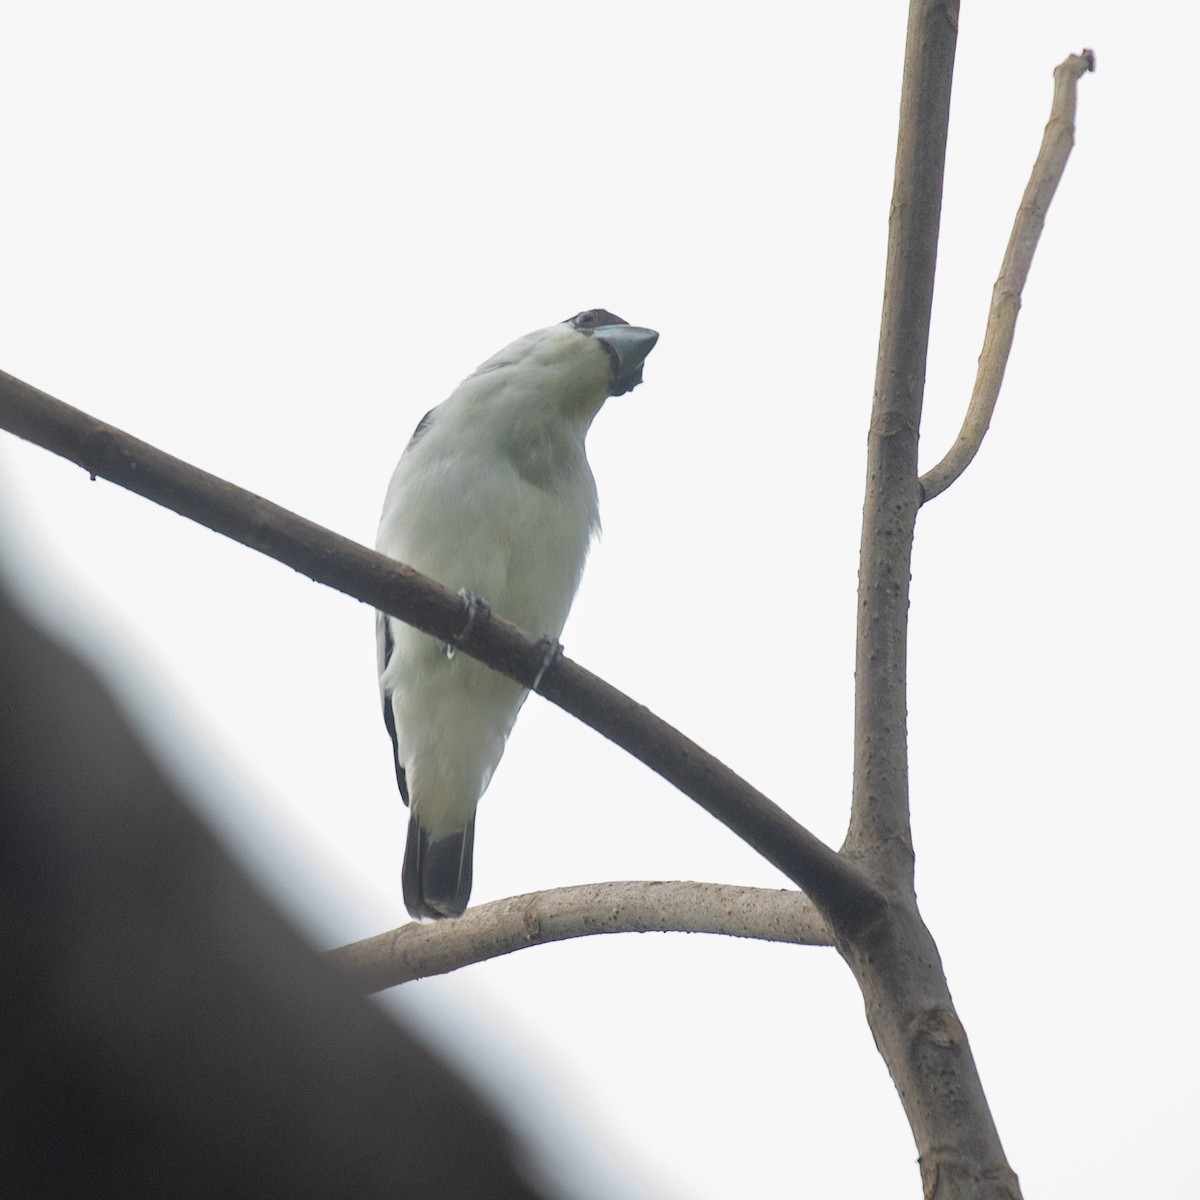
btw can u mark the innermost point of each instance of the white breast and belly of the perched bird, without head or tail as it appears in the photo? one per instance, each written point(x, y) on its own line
point(481, 502)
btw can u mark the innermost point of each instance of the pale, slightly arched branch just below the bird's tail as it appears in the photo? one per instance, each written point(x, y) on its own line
point(489, 931)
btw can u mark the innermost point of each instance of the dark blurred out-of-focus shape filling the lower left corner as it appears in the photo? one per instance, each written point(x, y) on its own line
point(165, 1033)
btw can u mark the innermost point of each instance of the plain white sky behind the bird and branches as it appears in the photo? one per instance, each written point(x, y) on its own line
point(268, 237)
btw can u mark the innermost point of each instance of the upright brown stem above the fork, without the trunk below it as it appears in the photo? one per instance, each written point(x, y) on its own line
point(880, 813)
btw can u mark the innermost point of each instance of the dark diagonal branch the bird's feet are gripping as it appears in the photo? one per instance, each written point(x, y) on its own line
point(835, 884)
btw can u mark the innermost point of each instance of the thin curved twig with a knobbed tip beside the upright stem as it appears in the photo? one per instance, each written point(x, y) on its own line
point(1006, 296)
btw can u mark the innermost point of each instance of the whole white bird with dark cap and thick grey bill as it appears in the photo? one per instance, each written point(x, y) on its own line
point(494, 495)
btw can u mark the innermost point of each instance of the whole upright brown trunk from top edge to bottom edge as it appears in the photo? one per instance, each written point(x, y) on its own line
point(896, 959)
